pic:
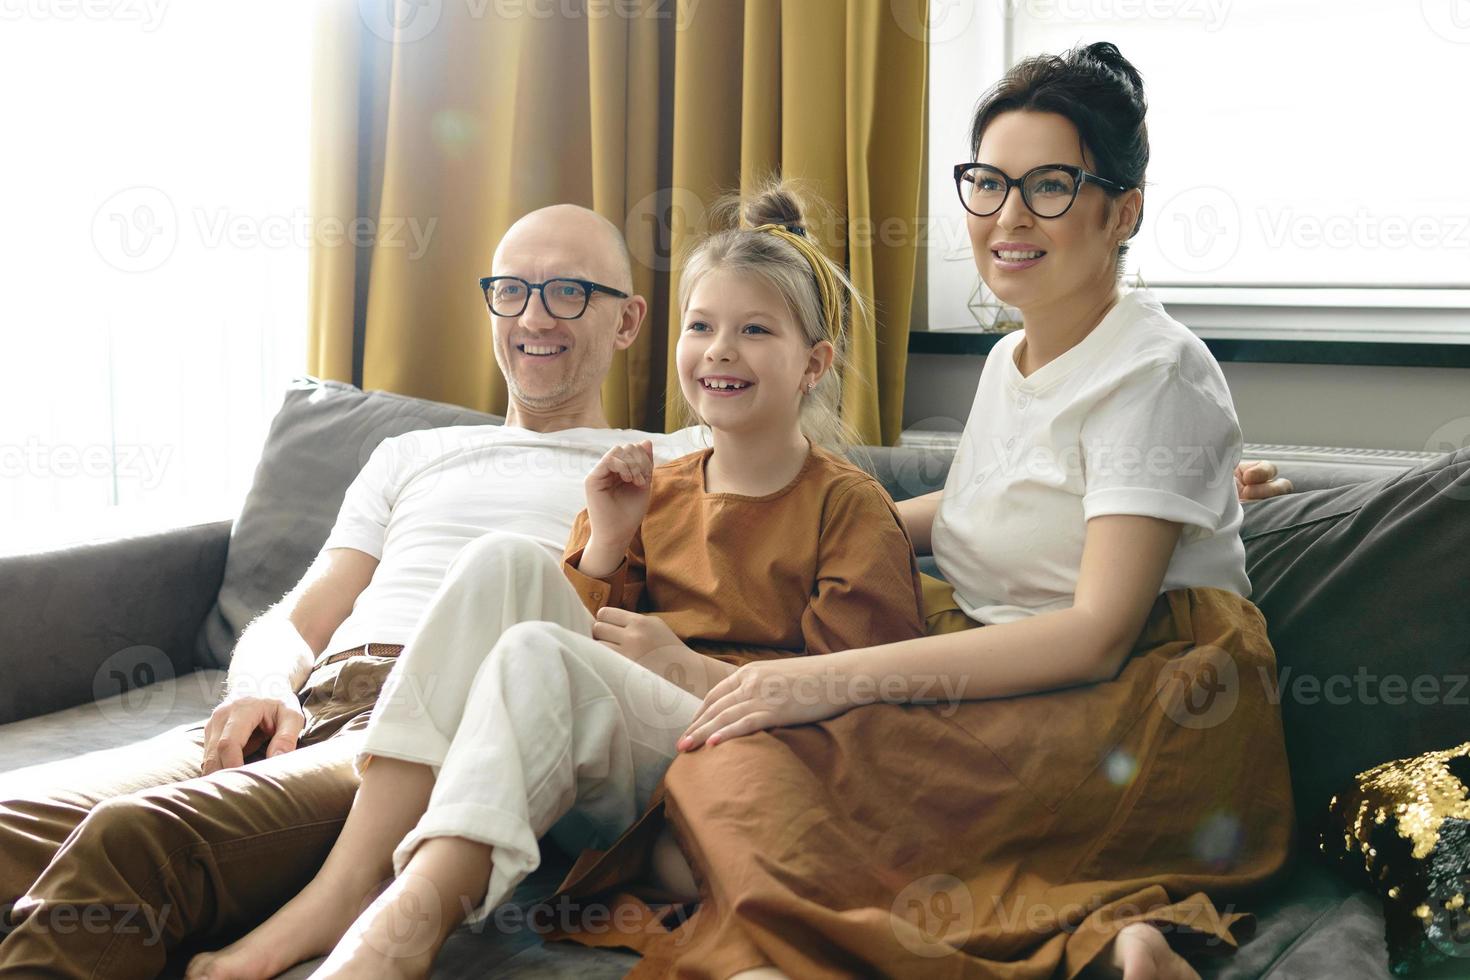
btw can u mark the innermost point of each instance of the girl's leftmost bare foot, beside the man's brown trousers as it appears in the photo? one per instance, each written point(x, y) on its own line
point(306, 928)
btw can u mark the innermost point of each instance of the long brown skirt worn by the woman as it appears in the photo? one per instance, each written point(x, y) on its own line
point(1008, 838)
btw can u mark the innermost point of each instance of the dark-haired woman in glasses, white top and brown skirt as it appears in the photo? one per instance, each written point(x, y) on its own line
point(1084, 754)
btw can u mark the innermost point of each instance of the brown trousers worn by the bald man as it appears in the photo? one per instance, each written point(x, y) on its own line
point(126, 856)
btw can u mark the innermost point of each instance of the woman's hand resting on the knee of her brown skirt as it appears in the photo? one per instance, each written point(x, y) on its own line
point(765, 694)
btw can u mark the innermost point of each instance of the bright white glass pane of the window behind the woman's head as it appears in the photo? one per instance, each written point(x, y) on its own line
point(1294, 143)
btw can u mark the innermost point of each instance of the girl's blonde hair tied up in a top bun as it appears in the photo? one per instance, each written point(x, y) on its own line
point(743, 251)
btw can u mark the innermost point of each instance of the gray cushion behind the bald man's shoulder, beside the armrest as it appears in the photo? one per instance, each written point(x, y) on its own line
point(318, 443)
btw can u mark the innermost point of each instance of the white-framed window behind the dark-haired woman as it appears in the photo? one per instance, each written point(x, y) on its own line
point(1306, 159)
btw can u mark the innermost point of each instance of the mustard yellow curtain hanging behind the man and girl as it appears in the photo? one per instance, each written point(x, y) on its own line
point(437, 127)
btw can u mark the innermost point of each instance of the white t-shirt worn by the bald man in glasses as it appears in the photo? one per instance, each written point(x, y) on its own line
point(427, 494)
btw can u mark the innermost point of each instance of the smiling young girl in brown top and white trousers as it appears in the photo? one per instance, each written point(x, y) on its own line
point(759, 549)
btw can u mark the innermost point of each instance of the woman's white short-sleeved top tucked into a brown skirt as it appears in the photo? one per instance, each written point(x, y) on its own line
point(1137, 419)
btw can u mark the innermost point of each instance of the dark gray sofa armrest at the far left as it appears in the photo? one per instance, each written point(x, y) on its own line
point(89, 622)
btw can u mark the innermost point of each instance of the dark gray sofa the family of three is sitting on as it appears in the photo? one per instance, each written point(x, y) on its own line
point(111, 643)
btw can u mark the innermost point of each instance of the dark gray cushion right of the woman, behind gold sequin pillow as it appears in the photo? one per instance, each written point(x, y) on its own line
point(1363, 590)
